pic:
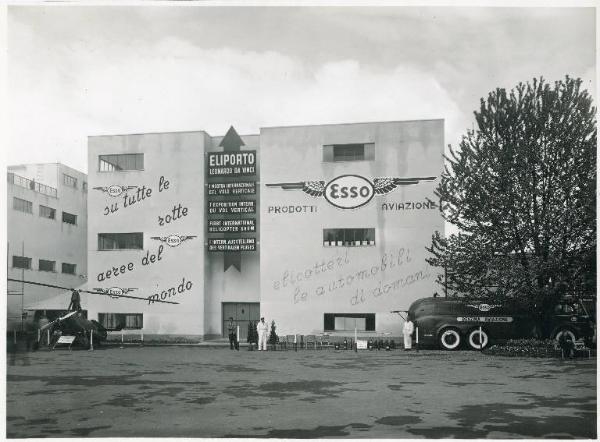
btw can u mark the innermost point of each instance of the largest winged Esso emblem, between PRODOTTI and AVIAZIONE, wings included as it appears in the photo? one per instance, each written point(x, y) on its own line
point(351, 191)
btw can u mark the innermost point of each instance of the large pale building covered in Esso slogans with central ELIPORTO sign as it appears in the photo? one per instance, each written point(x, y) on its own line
point(310, 261)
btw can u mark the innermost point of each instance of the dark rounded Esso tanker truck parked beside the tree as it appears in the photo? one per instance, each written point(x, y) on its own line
point(453, 322)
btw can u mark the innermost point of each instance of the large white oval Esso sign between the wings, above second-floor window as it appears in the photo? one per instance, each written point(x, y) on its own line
point(349, 191)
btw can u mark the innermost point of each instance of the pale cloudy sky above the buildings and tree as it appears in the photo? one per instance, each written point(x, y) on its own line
point(75, 71)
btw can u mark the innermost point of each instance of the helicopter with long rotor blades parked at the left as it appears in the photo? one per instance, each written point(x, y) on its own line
point(73, 324)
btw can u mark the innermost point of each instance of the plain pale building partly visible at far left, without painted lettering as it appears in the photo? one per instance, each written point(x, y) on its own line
point(46, 233)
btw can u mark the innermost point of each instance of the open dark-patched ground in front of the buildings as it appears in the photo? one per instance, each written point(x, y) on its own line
point(201, 392)
